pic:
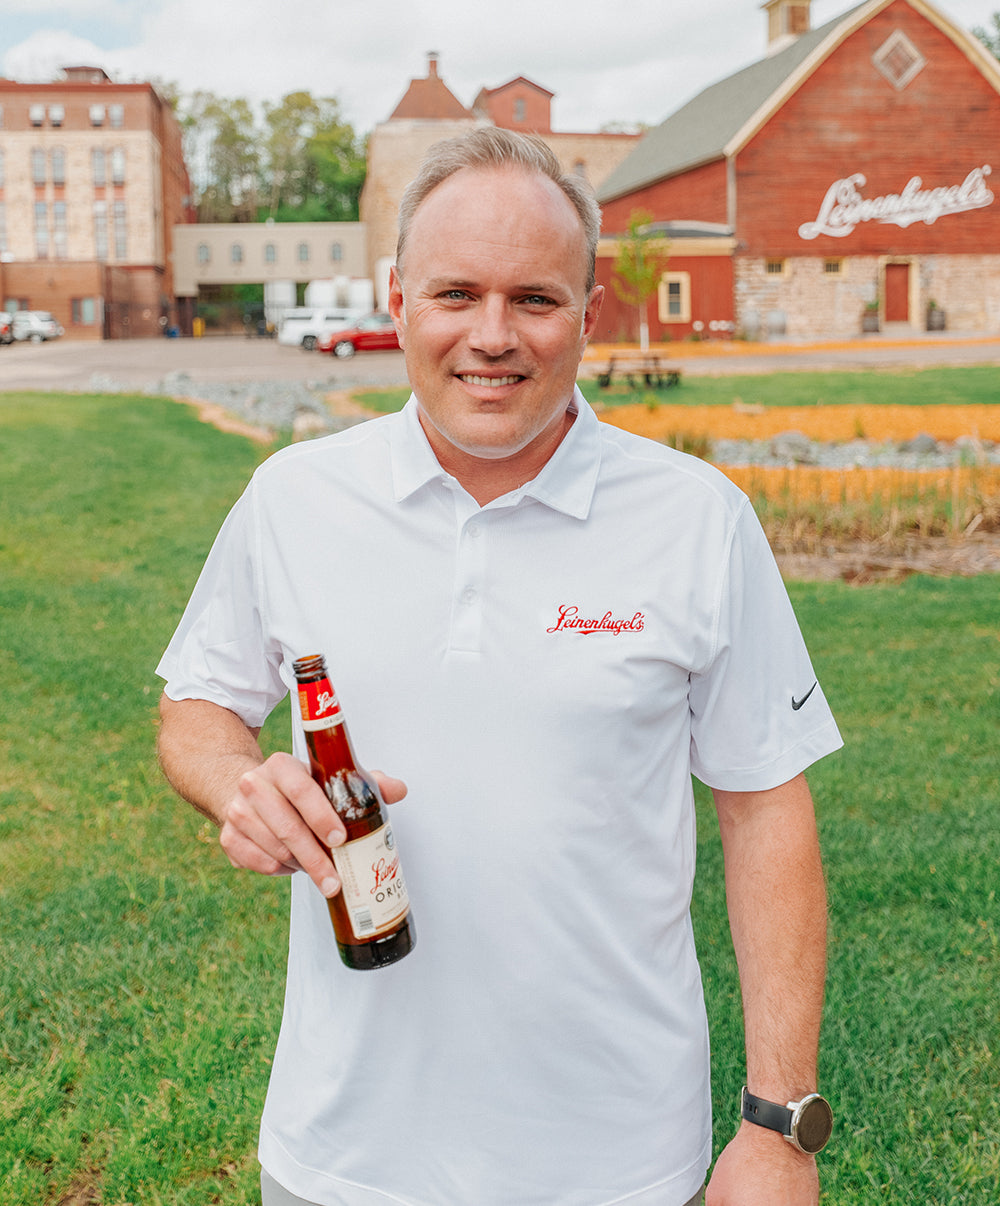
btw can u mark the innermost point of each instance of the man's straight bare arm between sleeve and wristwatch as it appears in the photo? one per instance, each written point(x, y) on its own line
point(777, 906)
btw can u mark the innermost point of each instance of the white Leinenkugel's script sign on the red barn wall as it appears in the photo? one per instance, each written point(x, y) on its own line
point(844, 207)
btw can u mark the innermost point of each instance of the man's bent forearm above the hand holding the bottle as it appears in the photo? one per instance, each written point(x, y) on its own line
point(204, 751)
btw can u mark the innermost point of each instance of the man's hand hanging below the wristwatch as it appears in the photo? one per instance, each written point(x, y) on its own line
point(762, 1169)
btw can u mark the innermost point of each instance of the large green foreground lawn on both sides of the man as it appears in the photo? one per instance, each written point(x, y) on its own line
point(143, 977)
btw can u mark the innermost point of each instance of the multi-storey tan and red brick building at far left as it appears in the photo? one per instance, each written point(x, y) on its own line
point(92, 183)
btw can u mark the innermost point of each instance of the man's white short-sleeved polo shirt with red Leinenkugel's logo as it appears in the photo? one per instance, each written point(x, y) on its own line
point(547, 674)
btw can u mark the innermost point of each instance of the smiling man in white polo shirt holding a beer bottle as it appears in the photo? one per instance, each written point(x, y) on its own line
point(547, 625)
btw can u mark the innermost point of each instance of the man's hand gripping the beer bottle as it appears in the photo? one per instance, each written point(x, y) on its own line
point(280, 821)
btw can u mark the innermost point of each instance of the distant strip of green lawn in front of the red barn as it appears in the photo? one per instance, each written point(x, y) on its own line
point(925, 388)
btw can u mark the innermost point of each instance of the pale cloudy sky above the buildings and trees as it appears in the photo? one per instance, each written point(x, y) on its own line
point(605, 66)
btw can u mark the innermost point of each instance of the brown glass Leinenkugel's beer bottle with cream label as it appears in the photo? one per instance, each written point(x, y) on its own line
point(371, 915)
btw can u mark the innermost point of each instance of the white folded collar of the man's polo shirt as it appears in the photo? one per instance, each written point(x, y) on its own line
point(566, 483)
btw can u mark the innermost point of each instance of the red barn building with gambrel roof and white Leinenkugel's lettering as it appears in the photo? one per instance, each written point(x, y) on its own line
point(844, 180)
